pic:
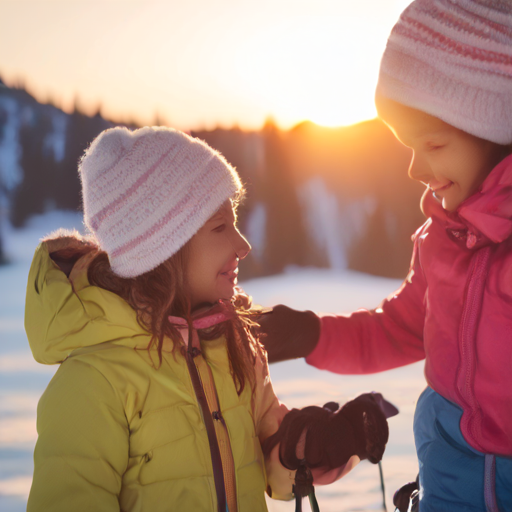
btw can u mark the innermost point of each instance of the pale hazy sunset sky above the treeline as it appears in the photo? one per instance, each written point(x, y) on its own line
point(201, 63)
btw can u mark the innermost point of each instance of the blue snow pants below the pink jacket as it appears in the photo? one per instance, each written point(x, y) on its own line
point(454, 476)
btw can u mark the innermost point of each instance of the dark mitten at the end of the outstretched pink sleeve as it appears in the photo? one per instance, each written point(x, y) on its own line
point(288, 334)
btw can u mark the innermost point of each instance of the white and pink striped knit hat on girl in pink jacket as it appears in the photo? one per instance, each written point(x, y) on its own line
point(453, 60)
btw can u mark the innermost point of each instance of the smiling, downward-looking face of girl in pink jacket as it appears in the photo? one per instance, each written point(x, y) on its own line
point(449, 161)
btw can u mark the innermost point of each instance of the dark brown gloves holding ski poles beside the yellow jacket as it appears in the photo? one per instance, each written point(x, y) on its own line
point(327, 437)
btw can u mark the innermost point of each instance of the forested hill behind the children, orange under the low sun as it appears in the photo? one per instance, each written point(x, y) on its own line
point(330, 197)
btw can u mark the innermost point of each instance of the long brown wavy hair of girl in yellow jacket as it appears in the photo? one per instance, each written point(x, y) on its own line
point(161, 293)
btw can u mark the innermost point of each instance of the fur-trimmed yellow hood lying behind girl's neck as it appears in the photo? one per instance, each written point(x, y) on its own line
point(63, 312)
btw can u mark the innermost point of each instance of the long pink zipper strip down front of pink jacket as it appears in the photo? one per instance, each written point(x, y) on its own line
point(467, 338)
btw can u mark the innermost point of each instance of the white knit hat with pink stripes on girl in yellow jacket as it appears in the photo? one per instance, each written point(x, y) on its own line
point(147, 192)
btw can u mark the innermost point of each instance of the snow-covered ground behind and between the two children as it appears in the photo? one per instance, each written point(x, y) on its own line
point(22, 380)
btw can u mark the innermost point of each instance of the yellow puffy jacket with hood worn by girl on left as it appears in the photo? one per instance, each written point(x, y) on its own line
point(115, 432)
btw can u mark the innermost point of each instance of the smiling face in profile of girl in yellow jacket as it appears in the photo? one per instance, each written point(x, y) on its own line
point(214, 252)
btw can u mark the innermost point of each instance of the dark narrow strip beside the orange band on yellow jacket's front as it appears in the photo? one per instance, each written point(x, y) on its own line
point(218, 473)
